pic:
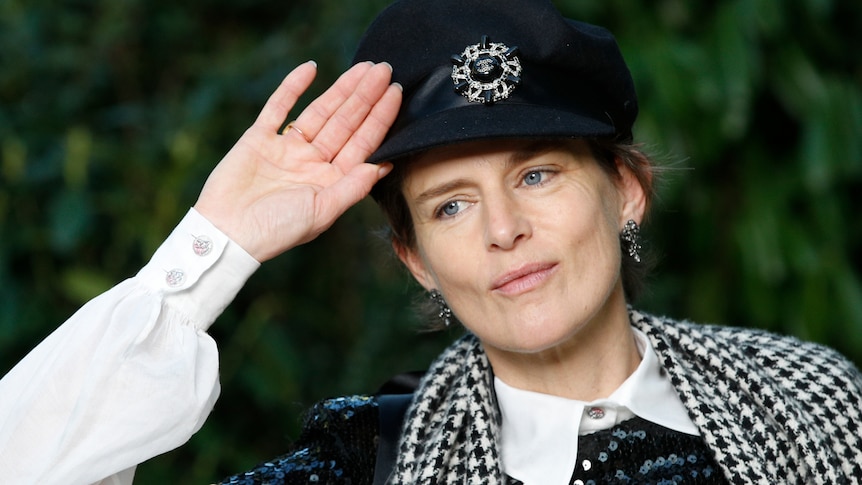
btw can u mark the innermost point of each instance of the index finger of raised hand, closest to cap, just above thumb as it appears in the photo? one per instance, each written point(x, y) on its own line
point(371, 132)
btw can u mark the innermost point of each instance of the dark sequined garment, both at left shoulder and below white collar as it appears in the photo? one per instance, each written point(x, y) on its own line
point(338, 445)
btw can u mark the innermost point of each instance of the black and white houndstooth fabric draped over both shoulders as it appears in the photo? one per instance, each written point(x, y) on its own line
point(771, 409)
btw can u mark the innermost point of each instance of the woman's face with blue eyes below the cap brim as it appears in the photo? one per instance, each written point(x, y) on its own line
point(521, 238)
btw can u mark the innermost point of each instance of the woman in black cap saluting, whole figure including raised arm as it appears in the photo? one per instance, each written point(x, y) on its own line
point(514, 198)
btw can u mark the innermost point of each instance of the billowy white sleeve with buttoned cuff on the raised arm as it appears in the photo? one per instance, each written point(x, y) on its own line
point(131, 375)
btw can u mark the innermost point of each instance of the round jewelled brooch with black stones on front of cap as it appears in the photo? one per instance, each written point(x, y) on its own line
point(486, 72)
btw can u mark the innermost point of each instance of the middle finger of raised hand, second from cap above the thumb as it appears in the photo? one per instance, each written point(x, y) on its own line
point(343, 124)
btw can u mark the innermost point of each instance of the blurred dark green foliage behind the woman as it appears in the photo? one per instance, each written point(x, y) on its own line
point(112, 113)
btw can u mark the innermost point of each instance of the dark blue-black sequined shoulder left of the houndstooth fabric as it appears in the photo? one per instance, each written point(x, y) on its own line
point(338, 445)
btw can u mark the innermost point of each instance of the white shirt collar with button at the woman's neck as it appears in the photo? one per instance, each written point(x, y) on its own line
point(540, 431)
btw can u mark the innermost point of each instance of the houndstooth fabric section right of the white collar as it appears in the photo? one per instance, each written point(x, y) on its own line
point(773, 409)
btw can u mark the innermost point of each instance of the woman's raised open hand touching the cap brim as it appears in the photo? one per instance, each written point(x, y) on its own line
point(274, 191)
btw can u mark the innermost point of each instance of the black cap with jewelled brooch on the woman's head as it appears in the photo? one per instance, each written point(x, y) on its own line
point(482, 69)
